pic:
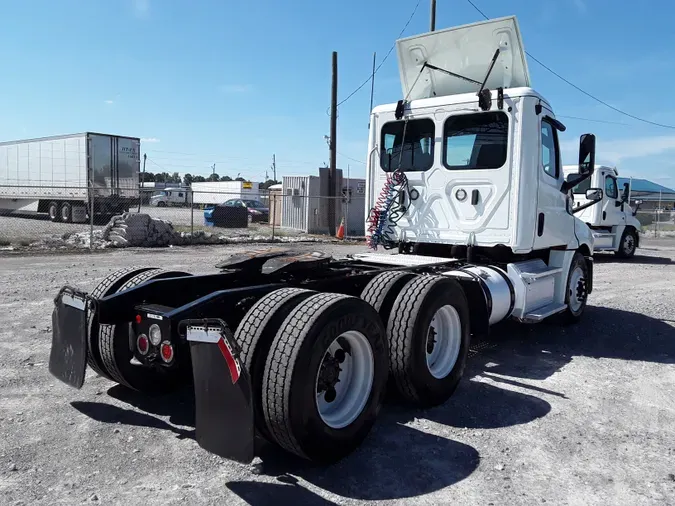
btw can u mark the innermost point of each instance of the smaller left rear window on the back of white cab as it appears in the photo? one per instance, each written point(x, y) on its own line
point(414, 153)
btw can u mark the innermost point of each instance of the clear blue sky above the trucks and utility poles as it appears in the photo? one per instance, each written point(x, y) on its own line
point(232, 83)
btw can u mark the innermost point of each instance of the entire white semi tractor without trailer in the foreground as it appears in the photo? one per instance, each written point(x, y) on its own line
point(466, 188)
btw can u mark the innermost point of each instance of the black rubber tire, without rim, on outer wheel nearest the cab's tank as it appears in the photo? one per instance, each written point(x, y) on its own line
point(407, 331)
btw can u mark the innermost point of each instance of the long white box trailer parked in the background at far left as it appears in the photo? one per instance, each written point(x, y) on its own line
point(63, 175)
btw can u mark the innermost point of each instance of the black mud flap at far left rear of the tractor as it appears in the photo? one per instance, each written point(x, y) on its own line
point(68, 356)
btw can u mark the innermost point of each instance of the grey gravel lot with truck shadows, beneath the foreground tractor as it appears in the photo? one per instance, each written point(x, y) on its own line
point(577, 415)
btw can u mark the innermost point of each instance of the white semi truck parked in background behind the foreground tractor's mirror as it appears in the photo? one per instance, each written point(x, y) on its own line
point(613, 221)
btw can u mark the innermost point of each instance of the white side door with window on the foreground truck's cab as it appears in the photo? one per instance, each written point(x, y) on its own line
point(554, 224)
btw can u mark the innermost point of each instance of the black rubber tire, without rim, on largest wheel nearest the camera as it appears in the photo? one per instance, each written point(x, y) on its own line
point(289, 383)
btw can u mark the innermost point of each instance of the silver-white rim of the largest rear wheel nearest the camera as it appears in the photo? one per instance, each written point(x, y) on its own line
point(345, 379)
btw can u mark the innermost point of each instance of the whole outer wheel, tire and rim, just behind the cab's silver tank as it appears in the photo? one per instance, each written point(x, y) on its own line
point(422, 377)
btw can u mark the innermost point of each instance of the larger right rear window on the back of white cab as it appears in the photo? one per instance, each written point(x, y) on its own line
point(475, 141)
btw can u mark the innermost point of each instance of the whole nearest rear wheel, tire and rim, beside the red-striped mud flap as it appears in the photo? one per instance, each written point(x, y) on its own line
point(295, 366)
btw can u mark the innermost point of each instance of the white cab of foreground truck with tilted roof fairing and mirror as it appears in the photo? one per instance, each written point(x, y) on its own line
point(453, 169)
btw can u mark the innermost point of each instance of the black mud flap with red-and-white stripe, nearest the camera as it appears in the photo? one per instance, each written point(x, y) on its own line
point(223, 395)
